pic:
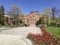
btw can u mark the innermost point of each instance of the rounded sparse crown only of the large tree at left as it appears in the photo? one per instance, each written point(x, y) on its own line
point(15, 10)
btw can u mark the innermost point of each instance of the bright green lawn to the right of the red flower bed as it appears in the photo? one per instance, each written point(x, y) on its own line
point(54, 30)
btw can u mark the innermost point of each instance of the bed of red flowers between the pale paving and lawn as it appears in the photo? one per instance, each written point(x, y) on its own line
point(45, 39)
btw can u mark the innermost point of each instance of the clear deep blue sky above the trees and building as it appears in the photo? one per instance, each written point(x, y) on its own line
point(30, 5)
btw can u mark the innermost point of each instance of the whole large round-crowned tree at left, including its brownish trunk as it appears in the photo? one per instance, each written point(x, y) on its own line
point(15, 11)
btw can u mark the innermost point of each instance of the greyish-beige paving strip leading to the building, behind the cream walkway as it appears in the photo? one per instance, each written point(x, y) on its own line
point(22, 31)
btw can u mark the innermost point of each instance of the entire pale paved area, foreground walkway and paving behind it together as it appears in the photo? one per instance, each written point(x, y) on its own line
point(17, 36)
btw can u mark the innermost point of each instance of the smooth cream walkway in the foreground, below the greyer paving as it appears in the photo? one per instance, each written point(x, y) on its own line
point(6, 39)
